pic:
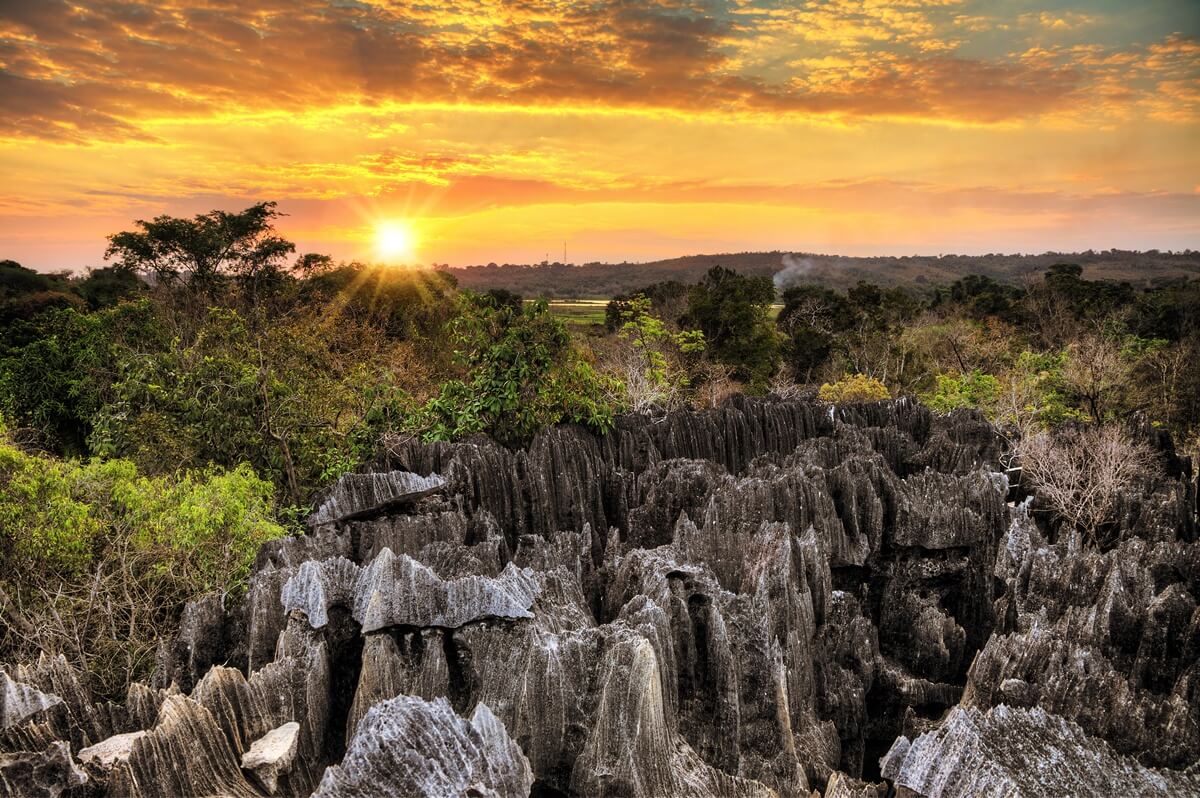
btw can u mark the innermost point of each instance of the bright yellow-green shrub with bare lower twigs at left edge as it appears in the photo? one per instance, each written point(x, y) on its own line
point(99, 560)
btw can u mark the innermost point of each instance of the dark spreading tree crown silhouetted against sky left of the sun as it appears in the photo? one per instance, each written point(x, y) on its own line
point(206, 249)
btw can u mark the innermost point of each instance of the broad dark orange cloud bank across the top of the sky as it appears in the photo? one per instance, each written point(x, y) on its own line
point(101, 69)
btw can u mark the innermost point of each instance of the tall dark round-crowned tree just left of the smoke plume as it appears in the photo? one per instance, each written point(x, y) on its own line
point(734, 313)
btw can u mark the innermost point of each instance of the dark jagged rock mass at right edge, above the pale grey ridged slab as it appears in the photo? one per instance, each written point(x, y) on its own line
point(1109, 640)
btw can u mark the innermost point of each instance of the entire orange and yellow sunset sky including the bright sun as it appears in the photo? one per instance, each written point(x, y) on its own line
point(476, 133)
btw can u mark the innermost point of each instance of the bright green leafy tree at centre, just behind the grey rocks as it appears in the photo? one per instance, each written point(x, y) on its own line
point(521, 374)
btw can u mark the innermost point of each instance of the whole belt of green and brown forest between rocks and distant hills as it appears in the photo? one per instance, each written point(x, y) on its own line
point(165, 416)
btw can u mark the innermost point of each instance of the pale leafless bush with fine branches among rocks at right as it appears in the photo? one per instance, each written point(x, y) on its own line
point(1081, 472)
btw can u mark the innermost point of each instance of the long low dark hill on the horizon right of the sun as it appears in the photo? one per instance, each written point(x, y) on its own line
point(604, 280)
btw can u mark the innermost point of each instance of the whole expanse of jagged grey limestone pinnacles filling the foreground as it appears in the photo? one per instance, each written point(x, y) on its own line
point(767, 599)
